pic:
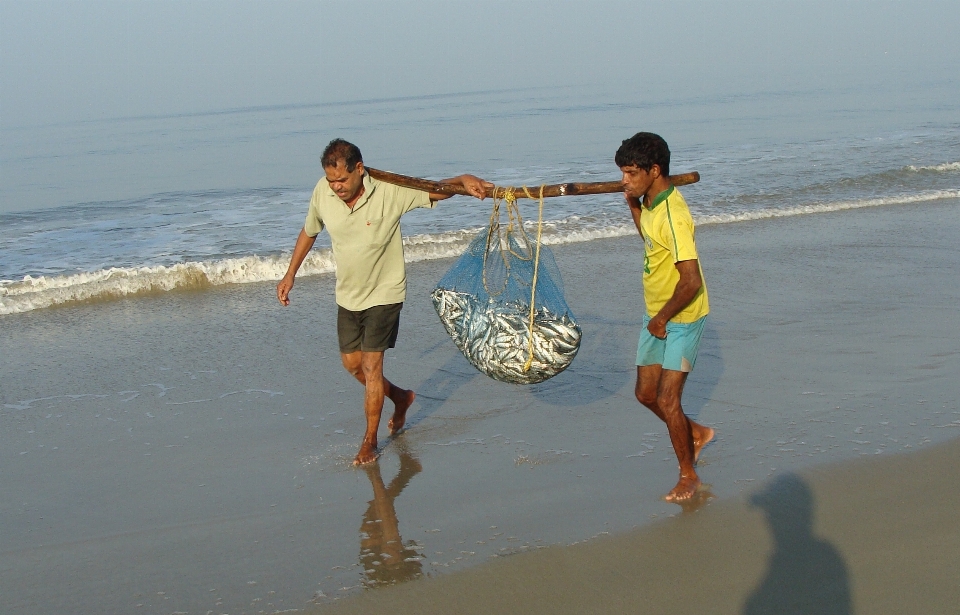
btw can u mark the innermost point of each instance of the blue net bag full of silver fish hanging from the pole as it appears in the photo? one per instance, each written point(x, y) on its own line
point(484, 304)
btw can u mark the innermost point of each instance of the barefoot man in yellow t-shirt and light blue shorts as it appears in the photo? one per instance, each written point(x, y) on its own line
point(675, 295)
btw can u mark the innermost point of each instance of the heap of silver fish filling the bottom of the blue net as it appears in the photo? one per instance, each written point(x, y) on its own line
point(496, 337)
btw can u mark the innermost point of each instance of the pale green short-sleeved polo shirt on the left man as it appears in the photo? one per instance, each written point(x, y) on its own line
point(367, 245)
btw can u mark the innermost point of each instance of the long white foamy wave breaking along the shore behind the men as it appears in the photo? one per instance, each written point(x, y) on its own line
point(32, 293)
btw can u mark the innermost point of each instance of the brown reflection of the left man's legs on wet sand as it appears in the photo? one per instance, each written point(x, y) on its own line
point(383, 556)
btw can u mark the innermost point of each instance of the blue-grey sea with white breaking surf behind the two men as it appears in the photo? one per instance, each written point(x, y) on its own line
point(104, 209)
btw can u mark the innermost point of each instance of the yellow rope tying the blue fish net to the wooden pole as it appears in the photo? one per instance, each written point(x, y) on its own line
point(508, 197)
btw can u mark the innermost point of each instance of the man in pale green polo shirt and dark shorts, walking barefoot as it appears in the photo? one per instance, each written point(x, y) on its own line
point(362, 216)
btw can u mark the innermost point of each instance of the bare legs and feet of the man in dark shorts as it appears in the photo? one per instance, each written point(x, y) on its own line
point(367, 368)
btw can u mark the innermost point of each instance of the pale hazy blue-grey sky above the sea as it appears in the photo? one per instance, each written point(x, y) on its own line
point(64, 61)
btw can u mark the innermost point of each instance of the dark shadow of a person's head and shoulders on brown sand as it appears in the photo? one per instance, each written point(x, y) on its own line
point(805, 574)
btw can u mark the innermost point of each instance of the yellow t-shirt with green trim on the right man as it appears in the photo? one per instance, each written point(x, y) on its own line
point(668, 238)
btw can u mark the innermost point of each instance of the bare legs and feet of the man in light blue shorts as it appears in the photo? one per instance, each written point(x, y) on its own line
point(660, 390)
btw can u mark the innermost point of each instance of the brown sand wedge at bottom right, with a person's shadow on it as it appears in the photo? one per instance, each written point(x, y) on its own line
point(877, 536)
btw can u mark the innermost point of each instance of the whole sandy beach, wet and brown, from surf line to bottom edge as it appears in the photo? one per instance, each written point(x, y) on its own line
point(190, 451)
